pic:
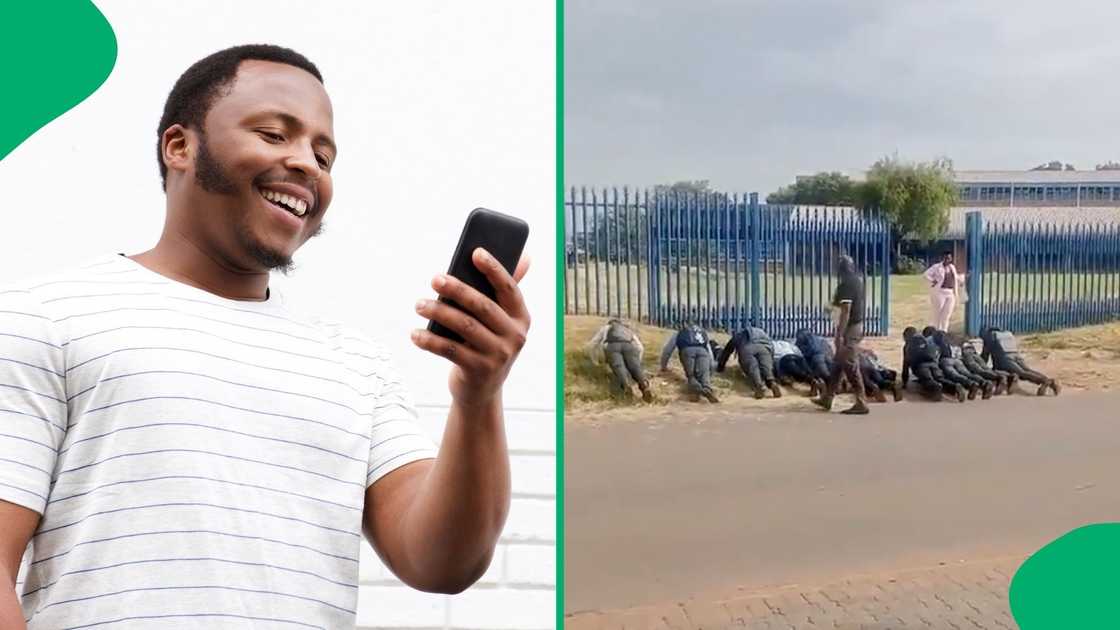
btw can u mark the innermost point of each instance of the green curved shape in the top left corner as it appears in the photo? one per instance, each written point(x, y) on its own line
point(55, 54)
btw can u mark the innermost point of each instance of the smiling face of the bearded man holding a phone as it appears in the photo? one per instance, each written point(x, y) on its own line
point(272, 134)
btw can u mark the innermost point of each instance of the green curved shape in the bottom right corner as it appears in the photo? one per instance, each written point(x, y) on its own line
point(1072, 582)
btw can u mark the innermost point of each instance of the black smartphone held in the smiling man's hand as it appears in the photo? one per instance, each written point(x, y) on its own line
point(502, 236)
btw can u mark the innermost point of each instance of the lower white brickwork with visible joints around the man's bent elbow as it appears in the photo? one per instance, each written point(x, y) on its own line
point(519, 591)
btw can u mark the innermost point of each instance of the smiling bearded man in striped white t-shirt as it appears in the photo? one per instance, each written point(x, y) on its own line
point(182, 450)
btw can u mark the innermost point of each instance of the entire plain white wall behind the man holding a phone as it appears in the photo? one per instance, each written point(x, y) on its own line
point(440, 108)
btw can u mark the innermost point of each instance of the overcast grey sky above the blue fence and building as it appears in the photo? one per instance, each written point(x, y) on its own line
point(751, 94)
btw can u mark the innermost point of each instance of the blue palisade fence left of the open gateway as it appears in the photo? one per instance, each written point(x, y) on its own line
point(724, 261)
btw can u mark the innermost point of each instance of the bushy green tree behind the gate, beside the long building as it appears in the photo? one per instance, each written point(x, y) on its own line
point(914, 198)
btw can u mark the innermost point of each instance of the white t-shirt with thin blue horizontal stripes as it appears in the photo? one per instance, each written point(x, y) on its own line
point(199, 462)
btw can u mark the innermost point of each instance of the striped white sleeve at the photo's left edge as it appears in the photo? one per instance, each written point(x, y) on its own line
point(33, 400)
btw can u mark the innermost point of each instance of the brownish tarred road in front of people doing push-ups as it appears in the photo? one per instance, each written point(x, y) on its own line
point(726, 509)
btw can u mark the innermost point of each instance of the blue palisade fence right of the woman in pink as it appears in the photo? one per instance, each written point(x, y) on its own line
point(1033, 277)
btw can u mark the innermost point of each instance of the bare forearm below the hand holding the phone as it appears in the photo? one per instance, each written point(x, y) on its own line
point(454, 525)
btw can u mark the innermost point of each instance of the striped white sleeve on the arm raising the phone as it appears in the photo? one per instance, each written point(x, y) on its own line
point(397, 438)
